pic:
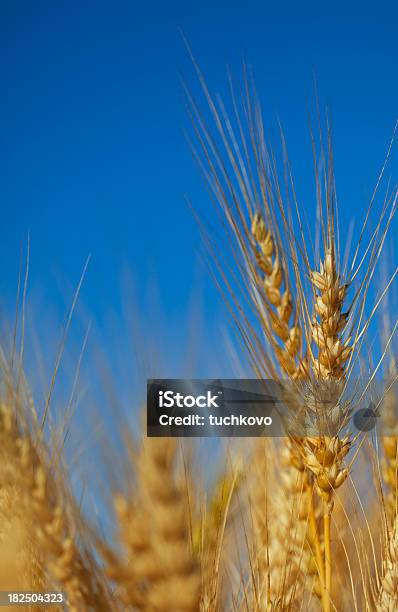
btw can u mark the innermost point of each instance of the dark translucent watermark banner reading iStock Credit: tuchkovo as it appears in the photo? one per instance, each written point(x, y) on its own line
point(253, 408)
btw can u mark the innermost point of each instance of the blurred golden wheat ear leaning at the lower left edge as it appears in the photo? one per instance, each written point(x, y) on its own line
point(26, 467)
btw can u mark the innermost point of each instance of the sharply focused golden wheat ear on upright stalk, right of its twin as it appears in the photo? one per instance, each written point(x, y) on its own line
point(324, 454)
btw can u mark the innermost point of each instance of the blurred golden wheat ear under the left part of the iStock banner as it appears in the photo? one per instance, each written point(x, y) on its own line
point(159, 571)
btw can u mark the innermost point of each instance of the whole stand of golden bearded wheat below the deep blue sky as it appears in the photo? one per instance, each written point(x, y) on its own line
point(305, 522)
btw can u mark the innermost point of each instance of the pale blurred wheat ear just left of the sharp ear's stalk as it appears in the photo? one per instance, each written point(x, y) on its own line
point(279, 507)
